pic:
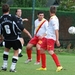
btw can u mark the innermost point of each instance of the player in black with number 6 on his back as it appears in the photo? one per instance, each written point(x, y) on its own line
point(9, 27)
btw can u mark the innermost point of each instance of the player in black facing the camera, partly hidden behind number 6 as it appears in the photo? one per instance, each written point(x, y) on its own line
point(20, 20)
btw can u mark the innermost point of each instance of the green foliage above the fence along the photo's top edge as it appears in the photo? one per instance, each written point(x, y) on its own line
point(64, 5)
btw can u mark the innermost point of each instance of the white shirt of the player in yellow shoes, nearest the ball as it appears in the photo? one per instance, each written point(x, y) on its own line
point(52, 26)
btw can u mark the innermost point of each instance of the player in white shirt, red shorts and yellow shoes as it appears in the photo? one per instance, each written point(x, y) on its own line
point(52, 37)
